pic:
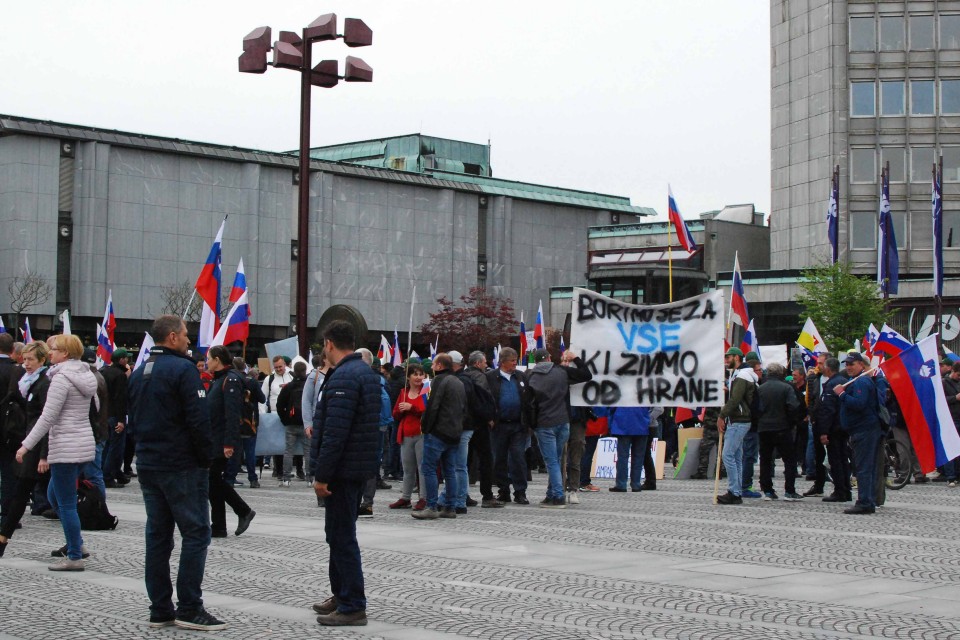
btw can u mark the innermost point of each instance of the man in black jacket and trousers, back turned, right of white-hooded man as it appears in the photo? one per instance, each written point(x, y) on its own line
point(776, 427)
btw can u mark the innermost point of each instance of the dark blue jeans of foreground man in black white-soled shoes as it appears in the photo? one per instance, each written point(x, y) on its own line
point(175, 498)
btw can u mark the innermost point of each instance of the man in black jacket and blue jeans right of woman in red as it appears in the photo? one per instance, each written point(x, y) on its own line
point(442, 427)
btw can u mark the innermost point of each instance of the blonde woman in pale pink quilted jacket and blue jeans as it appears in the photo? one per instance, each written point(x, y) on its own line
point(66, 421)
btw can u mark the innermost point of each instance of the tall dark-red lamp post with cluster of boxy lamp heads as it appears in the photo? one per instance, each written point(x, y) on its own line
point(294, 51)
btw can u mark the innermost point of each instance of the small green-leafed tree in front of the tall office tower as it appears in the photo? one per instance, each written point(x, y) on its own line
point(841, 304)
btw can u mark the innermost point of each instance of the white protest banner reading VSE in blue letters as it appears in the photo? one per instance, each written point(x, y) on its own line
point(668, 355)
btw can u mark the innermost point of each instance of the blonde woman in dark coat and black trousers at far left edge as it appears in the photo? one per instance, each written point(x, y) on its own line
point(27, 401)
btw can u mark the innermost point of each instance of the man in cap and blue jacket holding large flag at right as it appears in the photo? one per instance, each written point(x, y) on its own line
point(859, 418)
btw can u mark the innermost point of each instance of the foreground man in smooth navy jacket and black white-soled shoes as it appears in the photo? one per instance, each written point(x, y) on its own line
point(171, 426)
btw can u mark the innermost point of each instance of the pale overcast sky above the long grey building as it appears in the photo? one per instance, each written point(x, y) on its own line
point(617, 96)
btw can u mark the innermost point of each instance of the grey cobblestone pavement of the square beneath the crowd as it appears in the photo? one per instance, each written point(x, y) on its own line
point(663, 564)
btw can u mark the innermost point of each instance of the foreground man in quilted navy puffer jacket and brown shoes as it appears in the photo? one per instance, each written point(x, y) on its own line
point(346, 433)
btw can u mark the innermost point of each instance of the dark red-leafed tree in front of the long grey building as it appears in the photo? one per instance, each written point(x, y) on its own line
point(477, 321)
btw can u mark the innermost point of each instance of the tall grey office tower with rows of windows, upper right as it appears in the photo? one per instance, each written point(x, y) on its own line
point(861, 84)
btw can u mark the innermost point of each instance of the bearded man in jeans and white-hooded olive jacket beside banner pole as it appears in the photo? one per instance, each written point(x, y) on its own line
point(734, 421)
